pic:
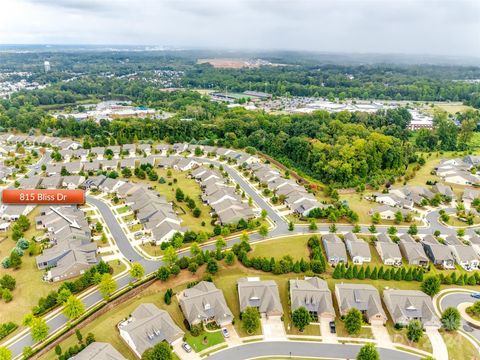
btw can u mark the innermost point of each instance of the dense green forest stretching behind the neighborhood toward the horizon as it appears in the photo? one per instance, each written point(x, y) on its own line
point(341, 149)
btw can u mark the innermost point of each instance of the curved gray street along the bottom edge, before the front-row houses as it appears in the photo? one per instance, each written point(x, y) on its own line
point(302, 349)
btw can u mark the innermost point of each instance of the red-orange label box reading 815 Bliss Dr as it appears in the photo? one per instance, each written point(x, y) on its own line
point(47, 197)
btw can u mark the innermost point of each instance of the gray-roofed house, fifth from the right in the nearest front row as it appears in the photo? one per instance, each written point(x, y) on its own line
point(204, 303)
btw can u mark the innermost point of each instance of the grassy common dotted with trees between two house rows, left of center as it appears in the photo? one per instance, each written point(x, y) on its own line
point(191, 188)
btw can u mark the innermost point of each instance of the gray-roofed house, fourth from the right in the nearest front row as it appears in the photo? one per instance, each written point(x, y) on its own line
point(261, 294)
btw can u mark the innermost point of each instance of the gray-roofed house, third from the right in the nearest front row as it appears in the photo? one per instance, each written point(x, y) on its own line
point(313, 294)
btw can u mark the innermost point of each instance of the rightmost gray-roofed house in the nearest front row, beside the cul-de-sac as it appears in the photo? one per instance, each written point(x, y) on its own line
point(407, 305)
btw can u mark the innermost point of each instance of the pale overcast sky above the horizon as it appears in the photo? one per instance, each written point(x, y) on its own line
point(447, 27)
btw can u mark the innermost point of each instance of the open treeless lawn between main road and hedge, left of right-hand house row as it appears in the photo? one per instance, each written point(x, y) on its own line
point(295, 246)
